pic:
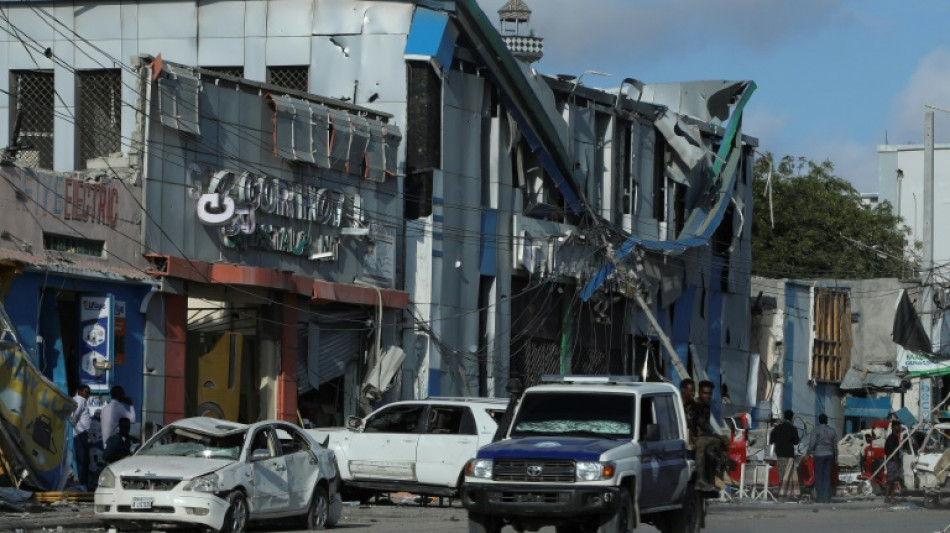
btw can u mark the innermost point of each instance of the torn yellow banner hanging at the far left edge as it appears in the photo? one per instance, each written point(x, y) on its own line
point(35, 412)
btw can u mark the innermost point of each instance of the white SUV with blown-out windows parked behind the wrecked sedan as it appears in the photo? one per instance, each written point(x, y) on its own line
point(415, 446)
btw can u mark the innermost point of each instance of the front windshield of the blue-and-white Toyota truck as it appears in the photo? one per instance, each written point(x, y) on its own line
point(575, 414)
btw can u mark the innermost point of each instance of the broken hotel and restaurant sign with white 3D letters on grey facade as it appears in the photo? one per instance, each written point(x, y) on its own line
point(236, 202)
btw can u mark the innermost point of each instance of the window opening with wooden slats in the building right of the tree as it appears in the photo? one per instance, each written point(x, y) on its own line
point(831, 352)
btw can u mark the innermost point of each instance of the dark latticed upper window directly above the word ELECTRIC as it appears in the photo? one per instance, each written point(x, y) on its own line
point(99, 106)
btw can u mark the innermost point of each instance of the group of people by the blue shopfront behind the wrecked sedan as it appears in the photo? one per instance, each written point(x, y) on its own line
point(116, 419)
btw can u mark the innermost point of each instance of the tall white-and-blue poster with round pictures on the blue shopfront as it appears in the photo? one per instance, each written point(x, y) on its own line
point(95, 341)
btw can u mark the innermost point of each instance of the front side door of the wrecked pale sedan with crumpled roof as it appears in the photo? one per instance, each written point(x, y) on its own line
point(270, 486)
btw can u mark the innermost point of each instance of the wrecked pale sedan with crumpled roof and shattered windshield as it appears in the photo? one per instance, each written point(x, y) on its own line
point(220, 475)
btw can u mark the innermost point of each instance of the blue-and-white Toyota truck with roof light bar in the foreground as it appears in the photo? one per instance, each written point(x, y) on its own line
point(588, 454)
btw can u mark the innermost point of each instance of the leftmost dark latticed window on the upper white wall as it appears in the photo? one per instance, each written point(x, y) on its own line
point(32, 92)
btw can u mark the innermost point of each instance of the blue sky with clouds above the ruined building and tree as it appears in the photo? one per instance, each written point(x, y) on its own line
point(836, 78)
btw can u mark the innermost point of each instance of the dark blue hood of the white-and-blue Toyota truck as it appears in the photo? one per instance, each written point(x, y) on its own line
point(579, 449)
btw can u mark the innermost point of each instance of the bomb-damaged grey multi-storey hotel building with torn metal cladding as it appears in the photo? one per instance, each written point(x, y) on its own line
point(338, 201)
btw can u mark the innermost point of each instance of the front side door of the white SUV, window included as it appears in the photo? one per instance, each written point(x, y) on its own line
point(385, 448)
